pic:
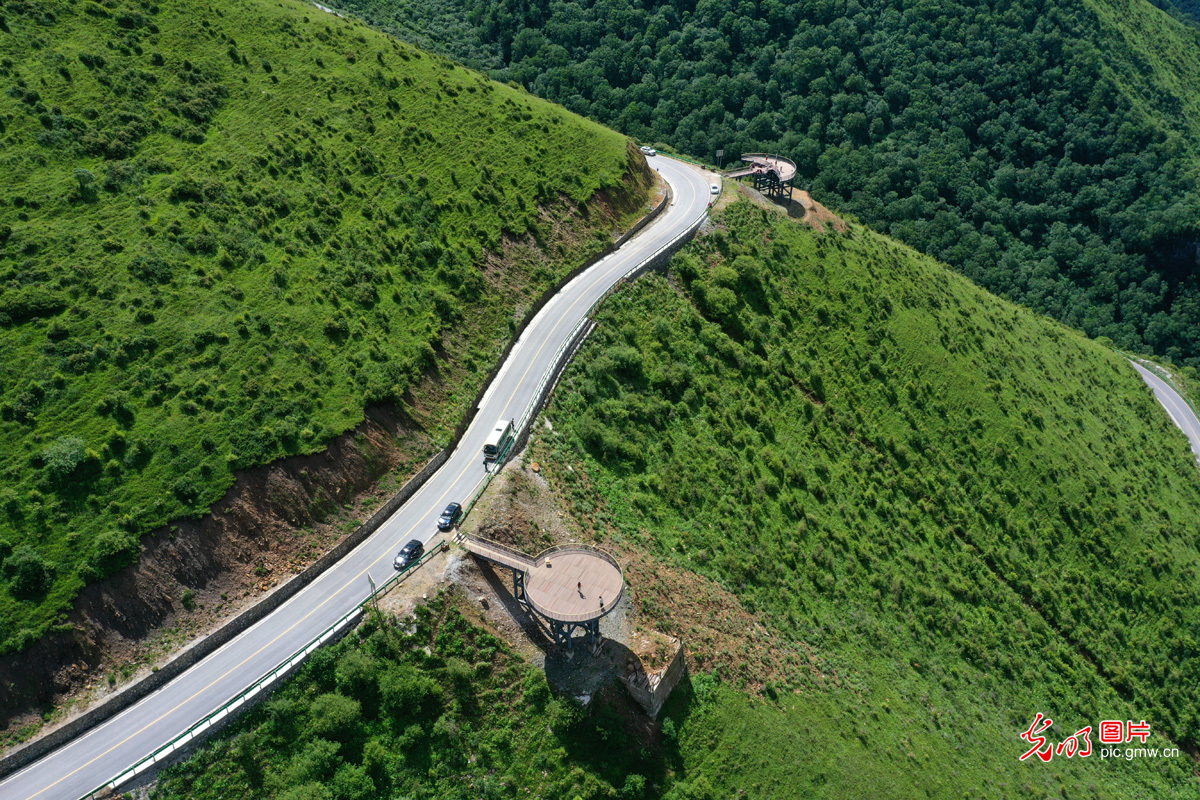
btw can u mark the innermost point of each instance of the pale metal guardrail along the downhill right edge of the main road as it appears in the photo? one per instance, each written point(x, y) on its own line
point(268, 679)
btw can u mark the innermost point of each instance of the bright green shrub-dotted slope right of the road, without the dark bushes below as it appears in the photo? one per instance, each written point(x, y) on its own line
point(970, 513)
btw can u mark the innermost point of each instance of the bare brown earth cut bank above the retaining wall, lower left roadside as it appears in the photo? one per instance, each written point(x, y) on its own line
point(267, 527)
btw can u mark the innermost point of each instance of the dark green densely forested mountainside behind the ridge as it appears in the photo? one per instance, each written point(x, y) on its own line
point(1047, 151)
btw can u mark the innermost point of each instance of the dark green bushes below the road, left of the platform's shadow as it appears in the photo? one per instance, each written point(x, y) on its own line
point(377, 717)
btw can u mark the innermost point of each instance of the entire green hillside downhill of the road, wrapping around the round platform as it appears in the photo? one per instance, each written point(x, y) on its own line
point(920, 491)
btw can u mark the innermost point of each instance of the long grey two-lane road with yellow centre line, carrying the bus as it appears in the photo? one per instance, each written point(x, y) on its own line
point(104, 753)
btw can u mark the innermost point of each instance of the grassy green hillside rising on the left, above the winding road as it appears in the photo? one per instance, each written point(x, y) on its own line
point(225, 230)
